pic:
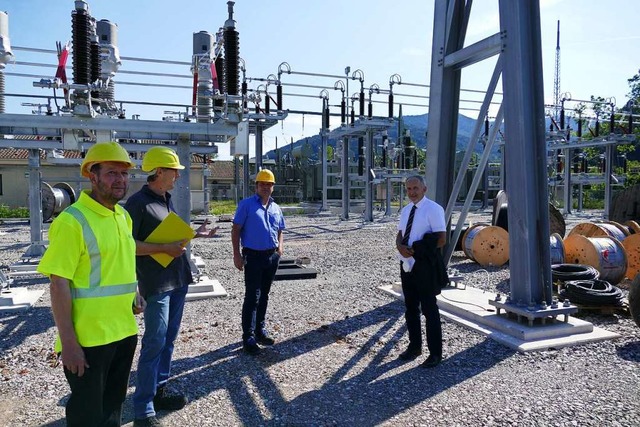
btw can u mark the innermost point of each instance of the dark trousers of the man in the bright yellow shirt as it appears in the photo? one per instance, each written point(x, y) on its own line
point(97, 397)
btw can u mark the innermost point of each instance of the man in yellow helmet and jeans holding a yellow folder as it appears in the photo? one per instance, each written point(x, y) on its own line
point(164, 275)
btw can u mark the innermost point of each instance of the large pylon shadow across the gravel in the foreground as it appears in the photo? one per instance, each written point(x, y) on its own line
point(376, 393)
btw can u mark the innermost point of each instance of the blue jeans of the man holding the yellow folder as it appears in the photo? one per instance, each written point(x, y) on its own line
point(162, 319)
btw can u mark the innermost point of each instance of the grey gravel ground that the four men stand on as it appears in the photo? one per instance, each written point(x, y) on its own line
point(335, 360)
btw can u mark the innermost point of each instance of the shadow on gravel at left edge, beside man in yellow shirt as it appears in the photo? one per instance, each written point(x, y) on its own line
point(38, 319)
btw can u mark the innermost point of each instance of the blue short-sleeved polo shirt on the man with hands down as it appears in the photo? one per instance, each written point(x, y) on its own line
point(259, 225)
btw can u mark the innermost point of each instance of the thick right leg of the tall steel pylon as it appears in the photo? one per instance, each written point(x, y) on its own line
point(526, 153)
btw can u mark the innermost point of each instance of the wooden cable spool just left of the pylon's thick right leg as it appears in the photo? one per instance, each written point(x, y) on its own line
point(486, 244)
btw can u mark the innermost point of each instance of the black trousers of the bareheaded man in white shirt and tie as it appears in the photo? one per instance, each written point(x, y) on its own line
point(418, 297)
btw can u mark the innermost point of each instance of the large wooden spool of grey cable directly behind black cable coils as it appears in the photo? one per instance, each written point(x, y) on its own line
point(605, 254)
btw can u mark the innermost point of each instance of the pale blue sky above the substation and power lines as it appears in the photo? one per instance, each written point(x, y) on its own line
point(600, 47)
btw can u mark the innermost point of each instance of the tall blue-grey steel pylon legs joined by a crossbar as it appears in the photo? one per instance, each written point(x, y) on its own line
point(519, 45)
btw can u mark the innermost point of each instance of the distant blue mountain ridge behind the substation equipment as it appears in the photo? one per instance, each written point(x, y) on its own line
point(417, 126)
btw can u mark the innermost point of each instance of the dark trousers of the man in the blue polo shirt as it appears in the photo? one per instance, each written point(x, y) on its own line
point(259, 271)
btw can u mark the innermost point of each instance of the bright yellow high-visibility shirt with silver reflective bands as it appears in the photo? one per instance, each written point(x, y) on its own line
point(93, 248)
